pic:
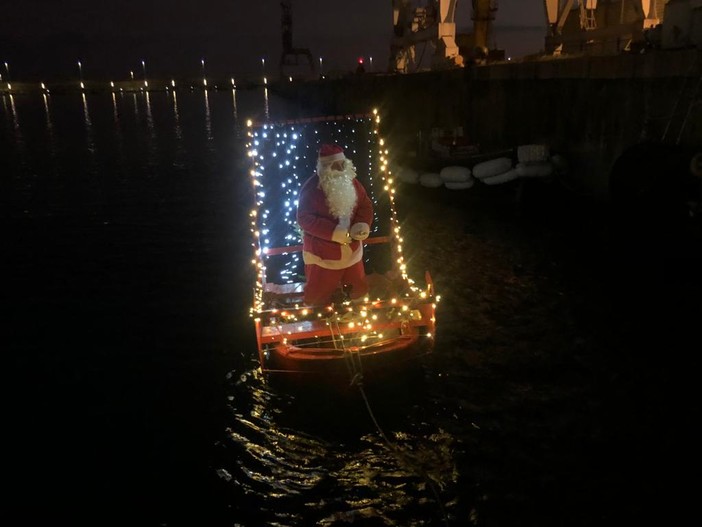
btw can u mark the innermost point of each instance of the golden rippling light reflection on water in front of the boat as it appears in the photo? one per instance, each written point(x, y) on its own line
point(286, 448)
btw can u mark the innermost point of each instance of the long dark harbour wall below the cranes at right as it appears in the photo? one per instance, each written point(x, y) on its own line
point(588, 109)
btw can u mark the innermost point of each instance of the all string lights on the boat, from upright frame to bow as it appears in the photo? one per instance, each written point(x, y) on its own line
point(283, 156)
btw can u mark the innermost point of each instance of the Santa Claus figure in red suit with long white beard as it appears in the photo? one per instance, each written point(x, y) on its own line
point(335, 214)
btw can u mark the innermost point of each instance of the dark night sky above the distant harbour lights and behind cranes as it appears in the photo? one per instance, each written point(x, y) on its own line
point(42, 39)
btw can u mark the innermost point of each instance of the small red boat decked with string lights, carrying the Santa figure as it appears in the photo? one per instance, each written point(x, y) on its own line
point(393, 327)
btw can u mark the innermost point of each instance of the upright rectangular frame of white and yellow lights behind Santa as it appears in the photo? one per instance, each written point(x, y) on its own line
point(285, 153)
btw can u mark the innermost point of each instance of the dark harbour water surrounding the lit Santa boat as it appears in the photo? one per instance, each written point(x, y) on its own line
point(561, 391)
